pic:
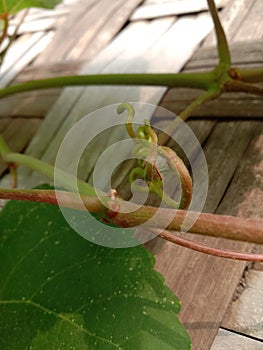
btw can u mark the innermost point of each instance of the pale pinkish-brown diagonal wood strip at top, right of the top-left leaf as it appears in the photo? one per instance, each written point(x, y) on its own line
point(91, 26)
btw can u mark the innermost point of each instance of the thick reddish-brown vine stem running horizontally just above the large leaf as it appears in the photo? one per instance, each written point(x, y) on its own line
point(131, 215)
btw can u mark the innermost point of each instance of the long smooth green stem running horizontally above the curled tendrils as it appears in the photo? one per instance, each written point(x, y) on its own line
point(194, 80)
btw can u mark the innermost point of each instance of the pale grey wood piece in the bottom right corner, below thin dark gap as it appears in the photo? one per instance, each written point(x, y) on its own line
point(231, 341)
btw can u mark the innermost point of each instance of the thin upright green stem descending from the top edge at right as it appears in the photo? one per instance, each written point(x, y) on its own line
point(222, 45)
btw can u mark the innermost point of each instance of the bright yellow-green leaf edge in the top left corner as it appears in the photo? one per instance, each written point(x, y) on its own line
point(13, 6)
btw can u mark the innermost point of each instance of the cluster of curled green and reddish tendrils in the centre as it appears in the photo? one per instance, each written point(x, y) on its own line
point(147, 150)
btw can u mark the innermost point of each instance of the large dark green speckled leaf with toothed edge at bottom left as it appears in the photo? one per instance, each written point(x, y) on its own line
point(59, 291)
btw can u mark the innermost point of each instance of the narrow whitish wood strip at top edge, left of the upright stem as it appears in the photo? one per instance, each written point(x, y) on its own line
point(171, 8)
